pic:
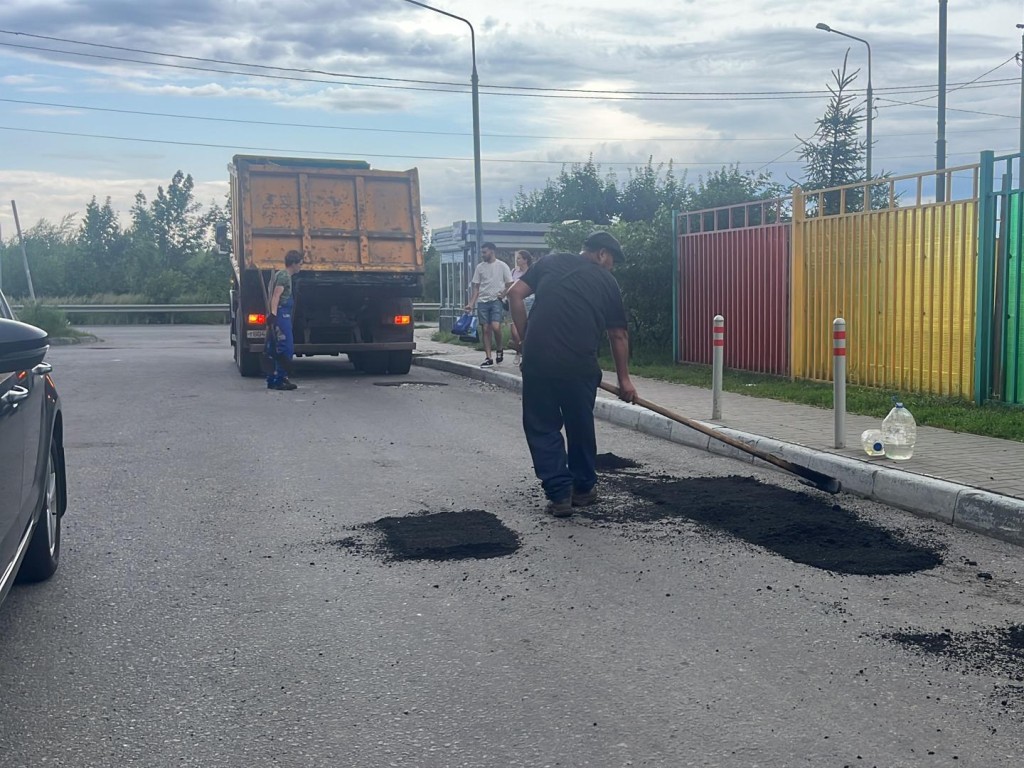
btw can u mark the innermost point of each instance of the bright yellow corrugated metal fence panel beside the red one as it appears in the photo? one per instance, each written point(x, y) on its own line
point(904, 279)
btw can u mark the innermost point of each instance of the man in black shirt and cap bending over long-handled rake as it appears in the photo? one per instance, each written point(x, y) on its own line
point(578, 301)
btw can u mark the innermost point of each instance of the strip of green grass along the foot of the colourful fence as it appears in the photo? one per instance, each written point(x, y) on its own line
point(991, 420)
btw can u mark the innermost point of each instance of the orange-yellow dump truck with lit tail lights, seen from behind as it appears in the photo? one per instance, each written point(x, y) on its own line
point(361, 235)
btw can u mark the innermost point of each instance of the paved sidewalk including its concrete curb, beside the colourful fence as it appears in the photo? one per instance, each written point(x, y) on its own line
point(938, 482)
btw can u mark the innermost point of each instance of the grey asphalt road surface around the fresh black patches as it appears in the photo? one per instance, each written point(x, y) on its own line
point(204, 617)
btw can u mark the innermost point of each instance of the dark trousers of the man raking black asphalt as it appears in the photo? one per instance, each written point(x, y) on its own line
point(549, 405)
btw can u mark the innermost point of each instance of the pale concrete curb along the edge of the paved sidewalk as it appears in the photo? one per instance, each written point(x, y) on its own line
point(962, 506)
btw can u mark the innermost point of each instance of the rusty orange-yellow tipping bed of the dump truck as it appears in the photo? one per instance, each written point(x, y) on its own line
point(340, 215)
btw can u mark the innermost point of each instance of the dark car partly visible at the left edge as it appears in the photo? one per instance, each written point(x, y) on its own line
point(33, 490)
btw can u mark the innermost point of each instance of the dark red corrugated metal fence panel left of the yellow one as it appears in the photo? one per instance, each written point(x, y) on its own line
point(743, 275)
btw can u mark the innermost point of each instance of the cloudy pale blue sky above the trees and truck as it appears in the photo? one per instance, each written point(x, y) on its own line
point(110, 98)
